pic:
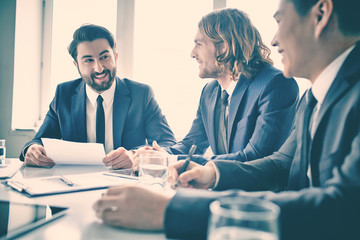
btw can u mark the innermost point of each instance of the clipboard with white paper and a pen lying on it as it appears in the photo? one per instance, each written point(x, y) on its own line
point(79, 182)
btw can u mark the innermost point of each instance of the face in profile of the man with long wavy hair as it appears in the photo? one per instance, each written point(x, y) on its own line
point(204, 52)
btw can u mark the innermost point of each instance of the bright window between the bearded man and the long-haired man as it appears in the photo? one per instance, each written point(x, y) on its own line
point(163, 40)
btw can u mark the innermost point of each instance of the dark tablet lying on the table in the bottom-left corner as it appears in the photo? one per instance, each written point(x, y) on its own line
point(19, 218)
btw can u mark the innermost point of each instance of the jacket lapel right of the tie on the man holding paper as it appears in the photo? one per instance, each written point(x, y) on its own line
point(121, 106)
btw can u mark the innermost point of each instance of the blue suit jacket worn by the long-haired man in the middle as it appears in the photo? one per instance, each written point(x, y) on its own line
point(261, 115)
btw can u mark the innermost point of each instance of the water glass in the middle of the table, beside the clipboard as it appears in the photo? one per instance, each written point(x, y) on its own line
point(153, 169)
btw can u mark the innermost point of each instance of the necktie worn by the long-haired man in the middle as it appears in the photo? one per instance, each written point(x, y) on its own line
point(221, 143)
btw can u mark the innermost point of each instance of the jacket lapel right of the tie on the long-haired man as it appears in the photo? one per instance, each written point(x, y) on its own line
point(241, 87)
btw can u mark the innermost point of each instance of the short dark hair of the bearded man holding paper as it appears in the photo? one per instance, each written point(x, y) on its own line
point(89, 32)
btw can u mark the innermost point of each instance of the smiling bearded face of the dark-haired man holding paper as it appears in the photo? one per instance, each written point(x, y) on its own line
point(96, 63)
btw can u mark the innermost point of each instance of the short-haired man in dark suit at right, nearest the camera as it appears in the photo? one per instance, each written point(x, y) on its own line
point(315, 176)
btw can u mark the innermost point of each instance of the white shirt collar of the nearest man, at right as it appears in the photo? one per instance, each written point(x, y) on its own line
point(327, 76)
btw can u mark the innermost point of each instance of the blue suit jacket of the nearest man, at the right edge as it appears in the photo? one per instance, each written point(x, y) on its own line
point(330, 209)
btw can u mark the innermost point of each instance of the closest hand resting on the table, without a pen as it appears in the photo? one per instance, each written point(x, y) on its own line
point(132, 207)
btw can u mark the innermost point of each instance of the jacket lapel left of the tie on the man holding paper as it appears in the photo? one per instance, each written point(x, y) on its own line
point(78, 113)
